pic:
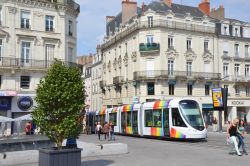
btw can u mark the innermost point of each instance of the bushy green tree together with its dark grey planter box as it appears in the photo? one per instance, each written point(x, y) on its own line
point(60, 101)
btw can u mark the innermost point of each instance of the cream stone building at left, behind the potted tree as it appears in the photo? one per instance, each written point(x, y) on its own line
point(32, 34)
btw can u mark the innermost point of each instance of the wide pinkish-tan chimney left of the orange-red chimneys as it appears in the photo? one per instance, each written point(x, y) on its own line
point(129, 10)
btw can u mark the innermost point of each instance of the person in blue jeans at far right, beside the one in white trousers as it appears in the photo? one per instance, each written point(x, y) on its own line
point(241, 135)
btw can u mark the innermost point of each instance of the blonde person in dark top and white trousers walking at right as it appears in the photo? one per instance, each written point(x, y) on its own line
point(232, 136)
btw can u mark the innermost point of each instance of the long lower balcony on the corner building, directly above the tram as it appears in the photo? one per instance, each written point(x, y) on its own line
point(165, 74)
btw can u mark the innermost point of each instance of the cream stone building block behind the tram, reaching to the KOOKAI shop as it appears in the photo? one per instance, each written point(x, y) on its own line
point(165, 50)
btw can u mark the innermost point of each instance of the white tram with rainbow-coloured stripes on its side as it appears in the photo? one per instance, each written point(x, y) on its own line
point(175, 118)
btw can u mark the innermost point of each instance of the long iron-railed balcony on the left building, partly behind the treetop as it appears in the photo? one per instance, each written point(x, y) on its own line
point(6, 62)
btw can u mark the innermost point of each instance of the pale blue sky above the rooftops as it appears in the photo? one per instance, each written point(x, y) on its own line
point(92, 18)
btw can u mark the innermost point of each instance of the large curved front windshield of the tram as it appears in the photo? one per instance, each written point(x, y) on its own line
point(191, 112)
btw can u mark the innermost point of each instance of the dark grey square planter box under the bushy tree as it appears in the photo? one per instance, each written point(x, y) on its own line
point(64, 157)
